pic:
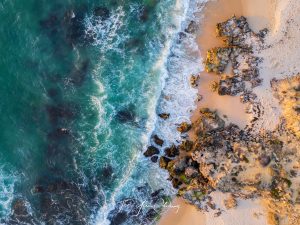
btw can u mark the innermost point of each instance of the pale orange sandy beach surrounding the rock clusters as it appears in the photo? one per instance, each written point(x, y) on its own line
point(260, 14)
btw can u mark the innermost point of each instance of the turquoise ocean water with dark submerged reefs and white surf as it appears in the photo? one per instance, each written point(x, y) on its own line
point(80, 83)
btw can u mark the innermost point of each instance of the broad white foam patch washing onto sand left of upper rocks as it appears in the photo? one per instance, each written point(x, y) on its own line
point(178, 97)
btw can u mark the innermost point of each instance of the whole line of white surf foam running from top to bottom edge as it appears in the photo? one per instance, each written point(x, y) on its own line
point(176, 63)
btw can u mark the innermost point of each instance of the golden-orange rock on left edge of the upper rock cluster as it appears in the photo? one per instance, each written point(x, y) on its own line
point(217, 59)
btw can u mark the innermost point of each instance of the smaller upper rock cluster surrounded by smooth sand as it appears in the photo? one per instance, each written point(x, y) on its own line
point(239, 40)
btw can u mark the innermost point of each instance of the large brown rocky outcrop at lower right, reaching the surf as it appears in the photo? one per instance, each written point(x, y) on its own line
point(227, 159)
